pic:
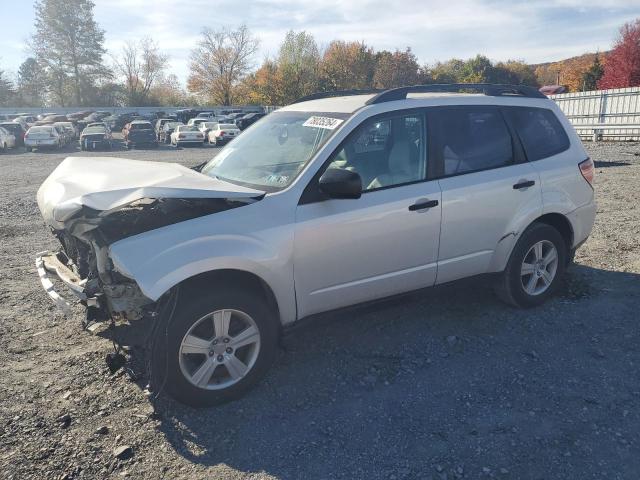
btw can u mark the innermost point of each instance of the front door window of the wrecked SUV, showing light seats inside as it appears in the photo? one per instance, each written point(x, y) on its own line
point(385, 152)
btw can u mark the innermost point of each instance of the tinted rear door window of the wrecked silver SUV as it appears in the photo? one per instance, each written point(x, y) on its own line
point(472, 139)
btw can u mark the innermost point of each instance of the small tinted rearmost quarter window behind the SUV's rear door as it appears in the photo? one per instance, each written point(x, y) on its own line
point(540, 131)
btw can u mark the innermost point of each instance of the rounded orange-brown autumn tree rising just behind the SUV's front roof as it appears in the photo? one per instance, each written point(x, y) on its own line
point(347, 65)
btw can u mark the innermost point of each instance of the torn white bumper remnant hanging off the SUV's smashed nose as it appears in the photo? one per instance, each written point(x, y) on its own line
point(49, 265)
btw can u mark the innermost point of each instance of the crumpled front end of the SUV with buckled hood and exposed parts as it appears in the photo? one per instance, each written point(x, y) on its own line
point(92, 203)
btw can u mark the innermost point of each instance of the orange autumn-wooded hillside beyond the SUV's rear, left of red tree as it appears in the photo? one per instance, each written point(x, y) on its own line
point(570, 70)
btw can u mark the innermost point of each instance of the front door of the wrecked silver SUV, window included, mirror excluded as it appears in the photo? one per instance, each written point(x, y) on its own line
point(385, 242)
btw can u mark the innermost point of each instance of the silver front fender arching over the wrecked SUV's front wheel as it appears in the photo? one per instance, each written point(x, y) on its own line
point(162, 258)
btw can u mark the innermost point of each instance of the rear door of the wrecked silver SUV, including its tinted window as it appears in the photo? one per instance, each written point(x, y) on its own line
point(486, 183)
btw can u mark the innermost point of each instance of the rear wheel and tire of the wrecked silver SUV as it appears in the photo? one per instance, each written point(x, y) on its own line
point(535, 268)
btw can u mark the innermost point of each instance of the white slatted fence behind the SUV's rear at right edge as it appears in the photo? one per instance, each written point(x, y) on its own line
point(603, 114)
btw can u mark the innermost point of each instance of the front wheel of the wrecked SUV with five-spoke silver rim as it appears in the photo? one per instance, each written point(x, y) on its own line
point(218, 344)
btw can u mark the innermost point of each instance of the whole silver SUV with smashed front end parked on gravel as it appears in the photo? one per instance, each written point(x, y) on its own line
point(335, 200)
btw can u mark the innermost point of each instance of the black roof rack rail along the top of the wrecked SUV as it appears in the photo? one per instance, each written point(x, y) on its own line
point(494, 90)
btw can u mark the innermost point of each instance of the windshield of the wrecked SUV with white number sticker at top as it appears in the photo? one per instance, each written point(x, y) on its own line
point(274, 150)
